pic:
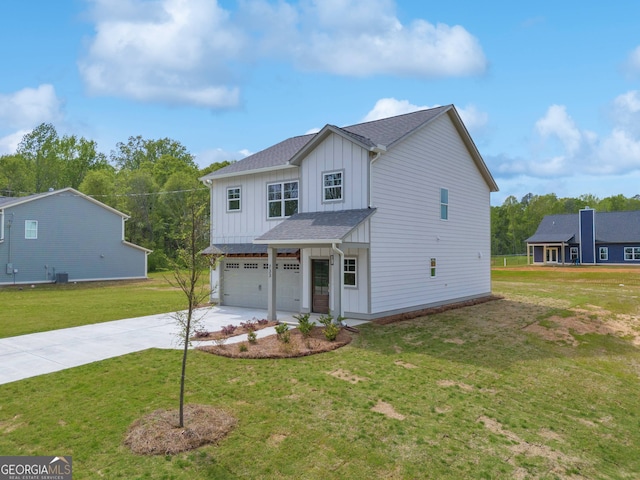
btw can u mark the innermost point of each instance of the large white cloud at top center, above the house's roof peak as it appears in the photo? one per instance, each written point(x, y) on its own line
point(364, 37)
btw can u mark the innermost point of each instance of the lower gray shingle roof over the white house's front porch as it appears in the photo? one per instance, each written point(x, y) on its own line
point(317, 226)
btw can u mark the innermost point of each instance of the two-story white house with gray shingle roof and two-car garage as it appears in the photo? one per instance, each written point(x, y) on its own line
point(367, 221)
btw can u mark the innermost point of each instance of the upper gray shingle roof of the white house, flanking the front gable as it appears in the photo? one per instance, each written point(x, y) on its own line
point(386, 132)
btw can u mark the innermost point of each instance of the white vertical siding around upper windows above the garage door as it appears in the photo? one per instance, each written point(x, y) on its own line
point(251, 221)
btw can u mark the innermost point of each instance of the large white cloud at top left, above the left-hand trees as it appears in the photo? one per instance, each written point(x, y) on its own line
point(172, 51)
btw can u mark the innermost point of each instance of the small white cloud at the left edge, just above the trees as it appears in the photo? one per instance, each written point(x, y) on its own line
point(30, 107)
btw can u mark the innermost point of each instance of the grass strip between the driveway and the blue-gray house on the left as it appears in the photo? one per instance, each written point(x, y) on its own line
point(52, 306)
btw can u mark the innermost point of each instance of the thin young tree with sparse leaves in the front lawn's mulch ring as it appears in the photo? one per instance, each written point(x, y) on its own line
point(188, 269)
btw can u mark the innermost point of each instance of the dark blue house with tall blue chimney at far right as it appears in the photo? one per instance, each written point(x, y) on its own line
point(587, 237)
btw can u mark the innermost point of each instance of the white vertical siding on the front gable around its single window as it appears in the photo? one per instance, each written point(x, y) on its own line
point(335, 154)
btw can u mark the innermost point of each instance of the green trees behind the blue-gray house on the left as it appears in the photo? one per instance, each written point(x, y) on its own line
point(150, 180)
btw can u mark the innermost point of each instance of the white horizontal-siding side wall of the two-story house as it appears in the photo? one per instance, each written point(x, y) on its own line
point(406, 231)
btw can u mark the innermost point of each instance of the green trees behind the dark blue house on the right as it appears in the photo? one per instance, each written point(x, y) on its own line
point(514, 221)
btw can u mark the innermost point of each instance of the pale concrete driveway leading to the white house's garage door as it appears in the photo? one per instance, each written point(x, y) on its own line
point(35, 354)
